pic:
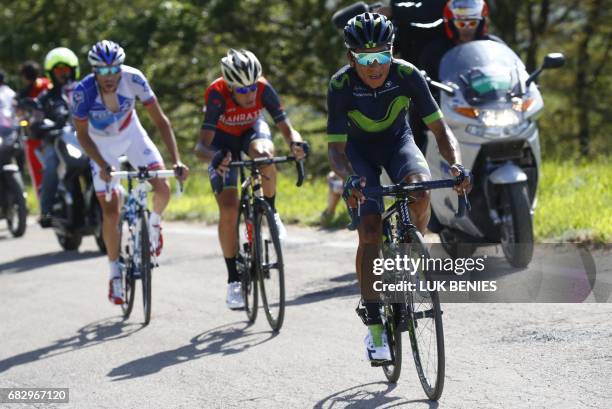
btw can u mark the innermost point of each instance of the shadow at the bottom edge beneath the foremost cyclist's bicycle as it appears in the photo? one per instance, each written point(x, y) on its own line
point(369, 395)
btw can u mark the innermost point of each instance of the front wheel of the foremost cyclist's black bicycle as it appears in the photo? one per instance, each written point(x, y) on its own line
point(425, 324)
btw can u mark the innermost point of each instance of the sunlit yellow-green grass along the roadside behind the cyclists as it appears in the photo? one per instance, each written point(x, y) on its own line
point(574, 201)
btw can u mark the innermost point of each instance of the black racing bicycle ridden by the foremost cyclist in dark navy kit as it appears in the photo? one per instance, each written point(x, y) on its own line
point(415, 311)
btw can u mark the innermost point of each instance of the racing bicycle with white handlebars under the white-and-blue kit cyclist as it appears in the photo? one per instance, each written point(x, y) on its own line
point(136, 256)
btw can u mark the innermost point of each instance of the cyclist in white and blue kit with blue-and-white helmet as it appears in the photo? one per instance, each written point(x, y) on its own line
point(107, 127)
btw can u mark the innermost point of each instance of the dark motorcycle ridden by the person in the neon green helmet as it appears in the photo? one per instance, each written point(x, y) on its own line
point(75, 210)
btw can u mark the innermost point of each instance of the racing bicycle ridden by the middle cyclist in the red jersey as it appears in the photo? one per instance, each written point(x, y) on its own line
point(260, 256)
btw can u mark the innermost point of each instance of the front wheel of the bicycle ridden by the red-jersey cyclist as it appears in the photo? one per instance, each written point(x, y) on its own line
point(270, 265)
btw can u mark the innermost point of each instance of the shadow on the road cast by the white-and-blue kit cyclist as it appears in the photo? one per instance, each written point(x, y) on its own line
point(93, 334)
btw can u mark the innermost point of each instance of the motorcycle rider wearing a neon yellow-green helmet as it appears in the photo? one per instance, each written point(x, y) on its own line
point(62, 67)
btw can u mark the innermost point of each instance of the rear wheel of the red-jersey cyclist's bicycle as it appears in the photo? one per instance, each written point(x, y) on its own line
point(245, 261)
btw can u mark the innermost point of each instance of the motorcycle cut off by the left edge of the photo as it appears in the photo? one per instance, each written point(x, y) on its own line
point(13, 205)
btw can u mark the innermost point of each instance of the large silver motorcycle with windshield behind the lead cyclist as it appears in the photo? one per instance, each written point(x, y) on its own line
point(491, 103)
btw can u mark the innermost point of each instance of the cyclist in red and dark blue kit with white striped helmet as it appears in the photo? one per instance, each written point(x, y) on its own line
point(234, 123)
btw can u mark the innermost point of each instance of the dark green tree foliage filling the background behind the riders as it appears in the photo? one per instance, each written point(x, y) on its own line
point(178, 45)
